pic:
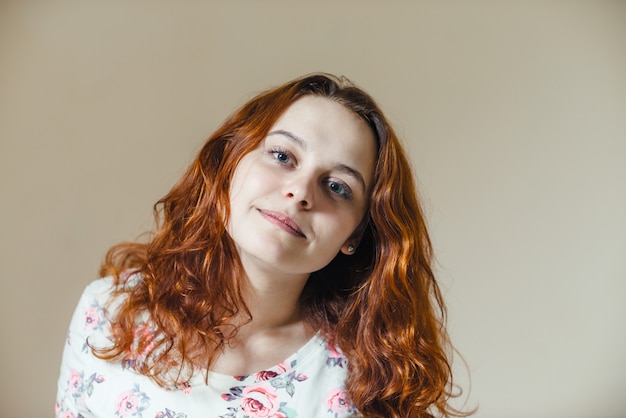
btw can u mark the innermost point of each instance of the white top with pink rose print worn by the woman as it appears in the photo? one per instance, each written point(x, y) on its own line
point(310, 383)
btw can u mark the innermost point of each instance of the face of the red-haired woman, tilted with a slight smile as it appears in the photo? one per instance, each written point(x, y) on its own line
point(296, 200)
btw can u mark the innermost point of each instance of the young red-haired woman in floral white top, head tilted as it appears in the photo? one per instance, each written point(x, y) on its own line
point(289, 275)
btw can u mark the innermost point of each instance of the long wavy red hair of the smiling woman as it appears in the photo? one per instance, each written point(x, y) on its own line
point(382, 306)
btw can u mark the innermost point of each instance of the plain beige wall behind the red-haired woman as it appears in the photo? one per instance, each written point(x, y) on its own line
point(514, 114)
